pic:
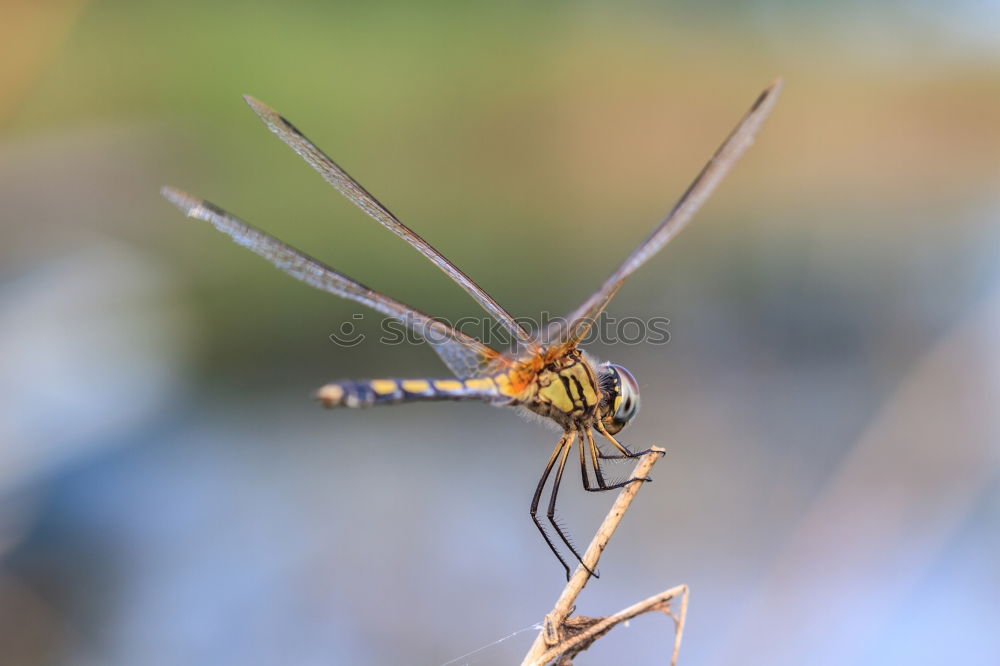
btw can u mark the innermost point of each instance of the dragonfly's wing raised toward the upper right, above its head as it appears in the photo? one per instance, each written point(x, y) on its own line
point(578, 323)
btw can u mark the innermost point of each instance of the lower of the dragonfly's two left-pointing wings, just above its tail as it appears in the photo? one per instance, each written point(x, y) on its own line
point(464, 355)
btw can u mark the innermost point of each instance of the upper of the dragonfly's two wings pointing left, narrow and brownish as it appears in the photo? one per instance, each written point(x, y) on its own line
point(361, 198)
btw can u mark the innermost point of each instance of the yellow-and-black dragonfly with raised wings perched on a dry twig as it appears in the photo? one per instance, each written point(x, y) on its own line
point(548, 375)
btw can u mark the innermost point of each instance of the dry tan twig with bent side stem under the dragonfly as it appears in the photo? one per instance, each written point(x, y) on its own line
point(561, 635)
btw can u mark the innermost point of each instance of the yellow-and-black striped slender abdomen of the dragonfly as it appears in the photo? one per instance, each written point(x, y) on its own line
point(394, 391)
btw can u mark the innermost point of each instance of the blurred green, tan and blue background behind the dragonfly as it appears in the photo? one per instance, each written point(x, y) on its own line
point(170, 494)
